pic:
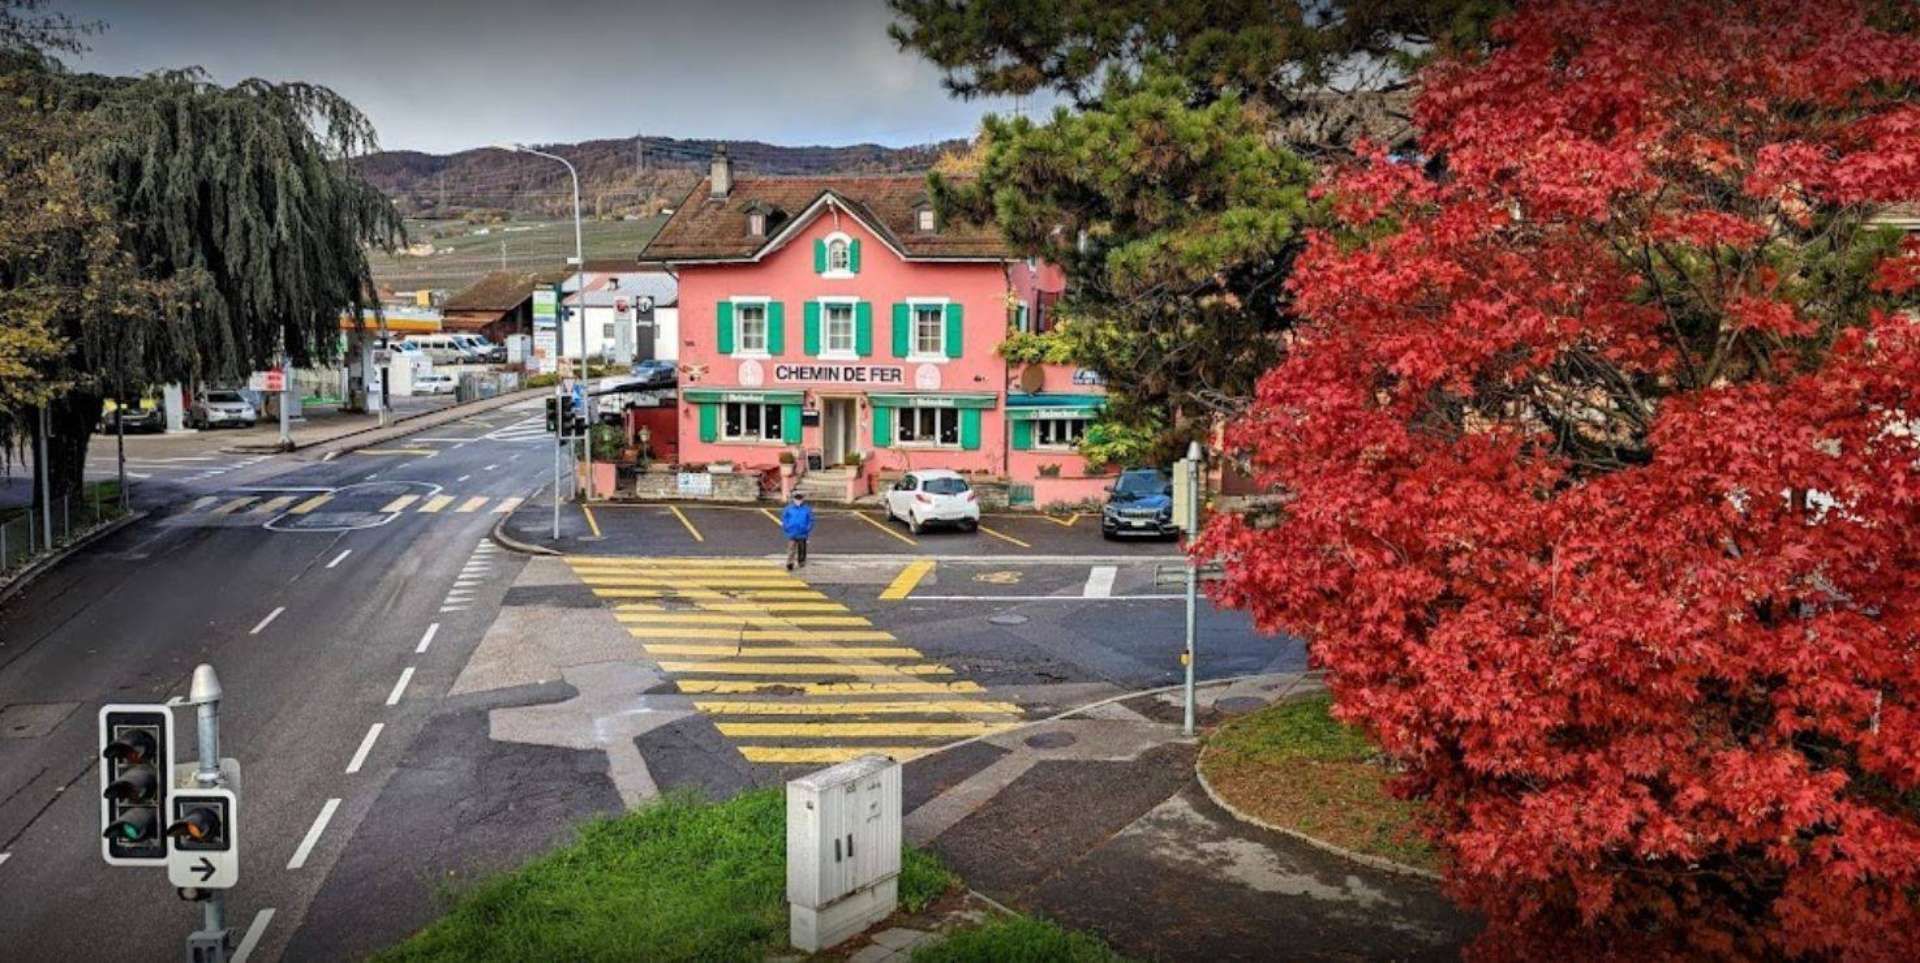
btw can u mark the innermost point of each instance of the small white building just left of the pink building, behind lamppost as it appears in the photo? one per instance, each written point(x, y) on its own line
point(633, 316)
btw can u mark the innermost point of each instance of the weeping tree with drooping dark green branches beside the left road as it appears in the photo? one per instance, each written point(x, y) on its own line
point(183, 233)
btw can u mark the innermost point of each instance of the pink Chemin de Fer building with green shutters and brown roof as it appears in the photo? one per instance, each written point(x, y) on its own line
point(840, 321)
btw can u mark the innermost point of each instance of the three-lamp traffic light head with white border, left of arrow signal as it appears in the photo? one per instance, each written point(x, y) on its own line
point(135, 774)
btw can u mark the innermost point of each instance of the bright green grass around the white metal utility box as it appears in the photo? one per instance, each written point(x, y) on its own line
point(681, 880)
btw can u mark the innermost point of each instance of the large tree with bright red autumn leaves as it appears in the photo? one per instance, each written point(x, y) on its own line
point(1600, 442)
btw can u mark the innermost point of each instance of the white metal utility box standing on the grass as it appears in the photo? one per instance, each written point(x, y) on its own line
point(844, 851)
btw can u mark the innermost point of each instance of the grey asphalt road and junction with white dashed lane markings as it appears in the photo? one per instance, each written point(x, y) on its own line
point(416, 707)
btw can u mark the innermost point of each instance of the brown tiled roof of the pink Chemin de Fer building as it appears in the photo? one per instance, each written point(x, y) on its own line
point(708, 229)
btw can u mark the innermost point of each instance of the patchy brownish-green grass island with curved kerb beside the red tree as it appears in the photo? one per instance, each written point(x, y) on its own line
point(1295, 766)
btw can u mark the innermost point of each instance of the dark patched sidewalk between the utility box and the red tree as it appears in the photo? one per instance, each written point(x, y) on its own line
point(1097, 822)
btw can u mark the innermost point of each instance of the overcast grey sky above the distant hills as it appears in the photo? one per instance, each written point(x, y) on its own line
point(446, 76)
